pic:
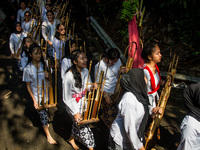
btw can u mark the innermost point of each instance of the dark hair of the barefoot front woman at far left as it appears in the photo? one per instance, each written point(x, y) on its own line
point(32, 48)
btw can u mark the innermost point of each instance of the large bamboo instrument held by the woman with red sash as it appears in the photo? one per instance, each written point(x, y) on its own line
point(149, 137)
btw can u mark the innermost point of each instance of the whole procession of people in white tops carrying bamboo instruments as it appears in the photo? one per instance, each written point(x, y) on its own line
point(40, 34)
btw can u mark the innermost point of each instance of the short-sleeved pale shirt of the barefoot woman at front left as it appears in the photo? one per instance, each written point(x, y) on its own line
point(30, 75)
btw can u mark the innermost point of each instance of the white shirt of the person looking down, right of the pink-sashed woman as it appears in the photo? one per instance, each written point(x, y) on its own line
point(111, 76)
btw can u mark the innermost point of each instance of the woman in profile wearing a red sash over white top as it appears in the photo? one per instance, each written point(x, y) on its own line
point(151, 54)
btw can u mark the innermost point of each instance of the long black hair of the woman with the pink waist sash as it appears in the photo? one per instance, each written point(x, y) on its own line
point(77, 76)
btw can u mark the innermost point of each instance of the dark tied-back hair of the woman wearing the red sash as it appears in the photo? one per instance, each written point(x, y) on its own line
point(147, 51)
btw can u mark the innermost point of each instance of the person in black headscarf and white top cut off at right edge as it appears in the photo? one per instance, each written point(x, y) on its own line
point(190, 126)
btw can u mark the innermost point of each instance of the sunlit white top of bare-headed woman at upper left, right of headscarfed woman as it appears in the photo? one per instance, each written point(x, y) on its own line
point(50, 29)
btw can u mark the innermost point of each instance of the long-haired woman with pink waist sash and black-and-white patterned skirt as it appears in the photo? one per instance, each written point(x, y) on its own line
point(74, 89)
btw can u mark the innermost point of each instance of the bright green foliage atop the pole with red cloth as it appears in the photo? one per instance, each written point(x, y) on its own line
point(129, 8)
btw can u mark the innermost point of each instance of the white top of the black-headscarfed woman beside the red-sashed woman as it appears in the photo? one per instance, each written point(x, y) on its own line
point(126, 125)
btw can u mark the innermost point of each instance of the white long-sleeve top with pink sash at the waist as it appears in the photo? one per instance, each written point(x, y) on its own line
point(70, 92)
